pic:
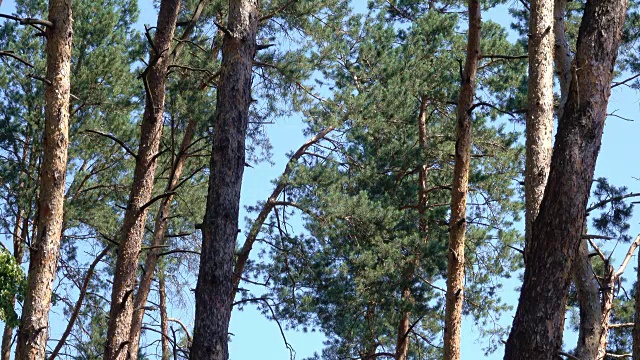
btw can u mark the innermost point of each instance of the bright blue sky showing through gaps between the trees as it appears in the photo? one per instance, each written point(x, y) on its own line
point(255, 337)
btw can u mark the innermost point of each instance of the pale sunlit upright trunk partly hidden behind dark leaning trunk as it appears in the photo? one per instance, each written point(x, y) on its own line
point(539, 141)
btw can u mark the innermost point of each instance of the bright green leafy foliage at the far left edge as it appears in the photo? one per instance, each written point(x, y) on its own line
point(13, 285)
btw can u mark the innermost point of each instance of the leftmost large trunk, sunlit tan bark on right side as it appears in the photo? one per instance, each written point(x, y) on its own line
point(45, 249)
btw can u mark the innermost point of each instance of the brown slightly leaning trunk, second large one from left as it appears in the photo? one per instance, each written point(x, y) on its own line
point(132, 230)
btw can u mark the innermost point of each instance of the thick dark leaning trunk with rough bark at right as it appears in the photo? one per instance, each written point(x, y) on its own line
point(539, 321)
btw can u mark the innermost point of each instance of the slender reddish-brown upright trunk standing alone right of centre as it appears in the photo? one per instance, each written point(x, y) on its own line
point(460, 189)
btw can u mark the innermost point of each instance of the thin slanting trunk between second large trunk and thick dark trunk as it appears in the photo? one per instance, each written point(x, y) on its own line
point(159, 231)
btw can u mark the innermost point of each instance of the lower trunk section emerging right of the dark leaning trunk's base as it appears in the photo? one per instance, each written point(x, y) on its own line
point(588, 294)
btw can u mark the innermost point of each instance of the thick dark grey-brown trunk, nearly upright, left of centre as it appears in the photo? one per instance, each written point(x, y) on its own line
point(214, 291)
